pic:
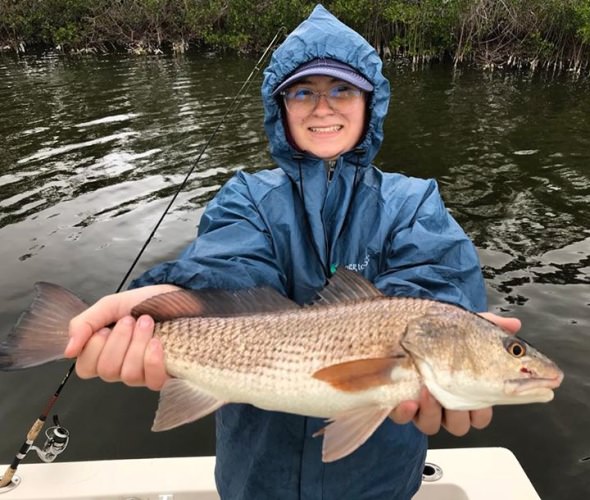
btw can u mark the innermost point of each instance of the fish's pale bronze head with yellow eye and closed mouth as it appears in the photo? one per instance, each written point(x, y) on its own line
point(467, 362)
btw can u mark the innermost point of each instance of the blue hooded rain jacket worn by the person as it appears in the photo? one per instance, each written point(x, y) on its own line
point(261, 229)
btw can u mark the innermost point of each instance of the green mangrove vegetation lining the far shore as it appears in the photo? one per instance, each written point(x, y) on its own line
point(552, 34)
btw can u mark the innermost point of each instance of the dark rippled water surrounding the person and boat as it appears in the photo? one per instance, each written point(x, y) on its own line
point(92, 149)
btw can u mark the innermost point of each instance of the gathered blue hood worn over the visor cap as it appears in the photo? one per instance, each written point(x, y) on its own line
point(322, 35)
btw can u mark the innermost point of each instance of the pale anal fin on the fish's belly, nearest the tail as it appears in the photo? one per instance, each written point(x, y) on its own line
point(181, 403)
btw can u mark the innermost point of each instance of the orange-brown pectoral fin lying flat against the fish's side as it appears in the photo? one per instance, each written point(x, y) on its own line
point(361, 374)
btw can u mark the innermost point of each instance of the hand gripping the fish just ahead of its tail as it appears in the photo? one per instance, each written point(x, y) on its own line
point(126, 352)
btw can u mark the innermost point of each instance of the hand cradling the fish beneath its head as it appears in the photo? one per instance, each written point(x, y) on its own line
point(427, 413)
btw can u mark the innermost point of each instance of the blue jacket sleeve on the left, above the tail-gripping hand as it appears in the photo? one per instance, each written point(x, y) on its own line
point(233, 248)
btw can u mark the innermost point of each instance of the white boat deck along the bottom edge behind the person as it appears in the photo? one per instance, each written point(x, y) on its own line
point(467, 474)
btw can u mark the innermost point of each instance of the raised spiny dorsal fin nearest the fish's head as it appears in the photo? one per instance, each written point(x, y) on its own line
point(346, 286)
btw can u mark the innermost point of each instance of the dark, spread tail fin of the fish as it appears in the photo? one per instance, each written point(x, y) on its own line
point(41, 333)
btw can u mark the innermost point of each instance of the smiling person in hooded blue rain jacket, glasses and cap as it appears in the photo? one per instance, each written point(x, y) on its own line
point(324, 205)
